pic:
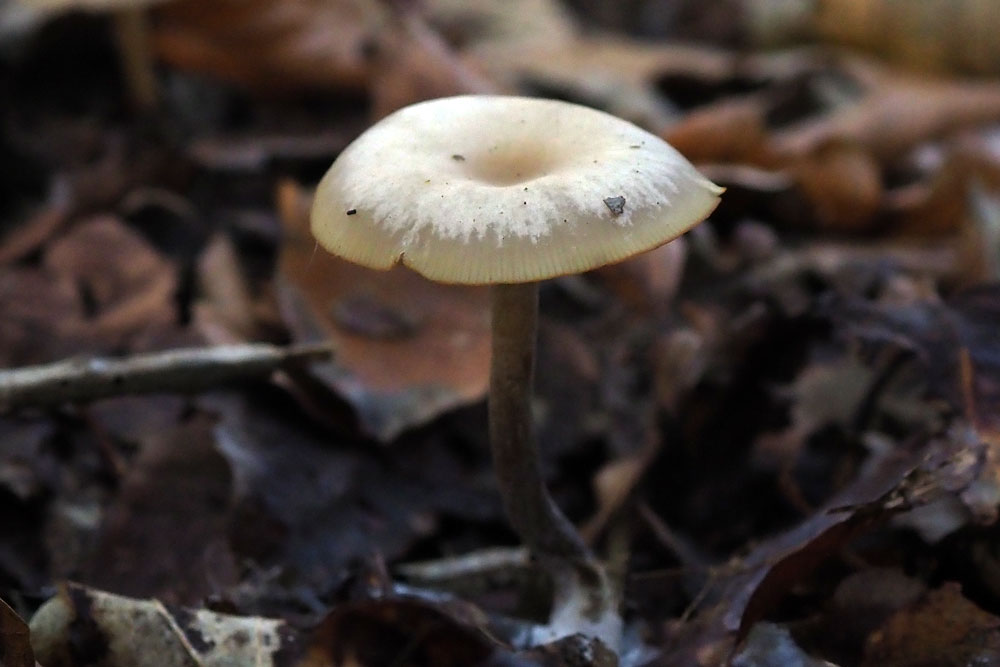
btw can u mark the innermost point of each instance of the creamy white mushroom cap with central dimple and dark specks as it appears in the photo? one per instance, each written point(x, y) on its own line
point(493, 189)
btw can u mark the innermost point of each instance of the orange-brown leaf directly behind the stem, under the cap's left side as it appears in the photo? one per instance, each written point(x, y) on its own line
point(407, 348)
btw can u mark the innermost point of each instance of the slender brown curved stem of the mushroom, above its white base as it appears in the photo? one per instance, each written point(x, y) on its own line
point(530, 508)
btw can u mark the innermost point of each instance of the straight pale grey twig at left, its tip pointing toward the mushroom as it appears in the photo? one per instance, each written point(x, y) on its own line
point(185, 370)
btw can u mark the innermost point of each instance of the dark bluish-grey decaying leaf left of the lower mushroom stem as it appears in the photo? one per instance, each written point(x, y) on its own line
point(313, 509)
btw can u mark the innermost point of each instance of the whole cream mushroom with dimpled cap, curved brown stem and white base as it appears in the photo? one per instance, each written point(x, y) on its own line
point(507, 192)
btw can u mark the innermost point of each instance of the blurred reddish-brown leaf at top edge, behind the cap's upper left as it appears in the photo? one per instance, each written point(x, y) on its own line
point(340, 45)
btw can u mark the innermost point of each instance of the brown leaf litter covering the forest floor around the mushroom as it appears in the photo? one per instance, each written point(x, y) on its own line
point(783, 432)
